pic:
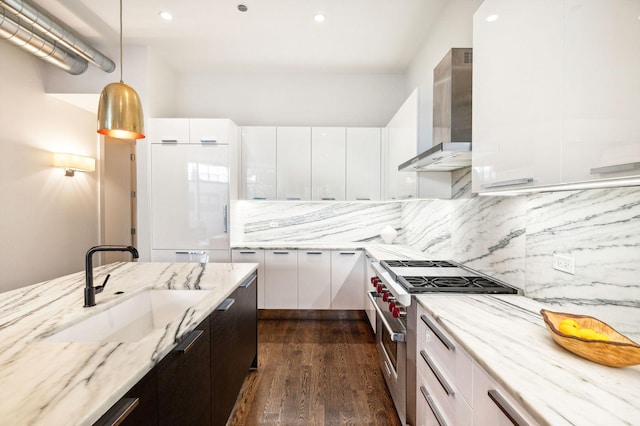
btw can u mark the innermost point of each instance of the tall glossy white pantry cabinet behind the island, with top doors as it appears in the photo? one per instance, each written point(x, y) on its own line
point(191, 183)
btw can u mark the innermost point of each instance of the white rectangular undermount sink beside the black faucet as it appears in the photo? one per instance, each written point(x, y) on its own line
point(132, 319)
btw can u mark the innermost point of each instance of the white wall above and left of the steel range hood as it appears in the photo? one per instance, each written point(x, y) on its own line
point(453, 28)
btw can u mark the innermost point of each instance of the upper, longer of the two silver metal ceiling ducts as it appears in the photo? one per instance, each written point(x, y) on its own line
point(40, 20)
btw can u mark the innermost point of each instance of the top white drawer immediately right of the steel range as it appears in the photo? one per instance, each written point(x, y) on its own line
point(454, 362)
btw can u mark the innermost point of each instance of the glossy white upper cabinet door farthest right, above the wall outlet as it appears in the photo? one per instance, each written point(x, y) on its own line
point(601, 89)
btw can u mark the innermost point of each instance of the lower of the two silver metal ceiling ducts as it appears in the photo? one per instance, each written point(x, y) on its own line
point(21, 34)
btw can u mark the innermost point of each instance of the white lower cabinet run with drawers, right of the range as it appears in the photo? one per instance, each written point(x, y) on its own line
point(452, 388)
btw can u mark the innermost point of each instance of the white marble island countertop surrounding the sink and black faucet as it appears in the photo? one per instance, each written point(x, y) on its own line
point(49, 383)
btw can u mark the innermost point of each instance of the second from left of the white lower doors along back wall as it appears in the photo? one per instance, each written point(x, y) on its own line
point(281, 279)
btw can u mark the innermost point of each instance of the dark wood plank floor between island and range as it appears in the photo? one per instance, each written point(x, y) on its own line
point(315, 368)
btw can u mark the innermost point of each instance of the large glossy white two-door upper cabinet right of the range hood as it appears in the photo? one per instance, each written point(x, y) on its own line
point(556, 93)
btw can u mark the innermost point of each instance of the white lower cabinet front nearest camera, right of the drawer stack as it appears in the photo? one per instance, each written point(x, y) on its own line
point(492, 405)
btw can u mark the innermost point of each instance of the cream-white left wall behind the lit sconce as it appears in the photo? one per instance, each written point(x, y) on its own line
point(48, 220)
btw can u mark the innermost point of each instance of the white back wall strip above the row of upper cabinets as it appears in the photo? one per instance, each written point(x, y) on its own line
point(292, 99)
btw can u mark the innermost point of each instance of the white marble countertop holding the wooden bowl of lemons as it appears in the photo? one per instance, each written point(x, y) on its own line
point(507, 336)
